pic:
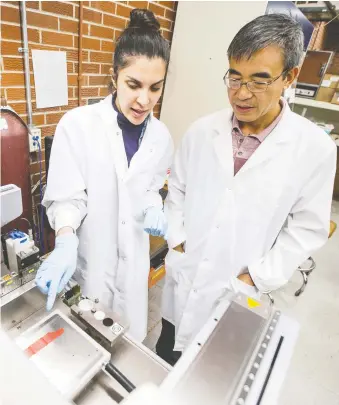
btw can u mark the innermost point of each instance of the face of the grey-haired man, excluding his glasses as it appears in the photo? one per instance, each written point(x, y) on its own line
point(263, 66)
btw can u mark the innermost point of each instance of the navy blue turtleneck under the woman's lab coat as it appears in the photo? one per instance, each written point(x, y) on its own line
point(131, 133)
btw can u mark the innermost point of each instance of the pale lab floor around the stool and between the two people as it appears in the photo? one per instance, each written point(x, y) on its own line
point(313, 377)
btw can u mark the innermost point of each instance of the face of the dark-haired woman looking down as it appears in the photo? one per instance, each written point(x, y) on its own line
point(139, 87)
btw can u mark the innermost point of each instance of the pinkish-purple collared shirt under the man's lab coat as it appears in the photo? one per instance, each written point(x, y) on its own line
point(245, 146)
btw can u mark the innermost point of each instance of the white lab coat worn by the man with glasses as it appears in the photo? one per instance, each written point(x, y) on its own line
point(269, 217)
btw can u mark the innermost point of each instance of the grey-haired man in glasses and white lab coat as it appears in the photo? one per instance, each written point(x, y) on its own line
point(250, 189)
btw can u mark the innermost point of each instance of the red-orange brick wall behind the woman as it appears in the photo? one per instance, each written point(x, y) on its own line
point(54, 25)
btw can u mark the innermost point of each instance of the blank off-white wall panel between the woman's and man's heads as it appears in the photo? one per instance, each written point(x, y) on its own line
point(203, 31)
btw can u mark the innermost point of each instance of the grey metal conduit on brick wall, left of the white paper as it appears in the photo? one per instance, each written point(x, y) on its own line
point(26, 63)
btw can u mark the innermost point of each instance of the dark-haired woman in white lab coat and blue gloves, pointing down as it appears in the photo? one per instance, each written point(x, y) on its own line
point(108, 162)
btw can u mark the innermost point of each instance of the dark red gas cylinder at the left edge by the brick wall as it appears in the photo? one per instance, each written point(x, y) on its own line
point(15, 165)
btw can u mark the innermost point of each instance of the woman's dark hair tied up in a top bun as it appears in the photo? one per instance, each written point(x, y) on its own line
point(142, 37)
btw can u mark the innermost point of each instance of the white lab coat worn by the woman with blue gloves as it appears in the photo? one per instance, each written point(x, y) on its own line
point(89, 183)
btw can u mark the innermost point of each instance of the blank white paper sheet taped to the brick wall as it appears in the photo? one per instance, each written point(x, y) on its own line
point(50, 76)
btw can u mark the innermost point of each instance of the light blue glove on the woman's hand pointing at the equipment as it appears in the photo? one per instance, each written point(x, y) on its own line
point(58, 268)
